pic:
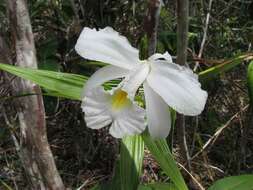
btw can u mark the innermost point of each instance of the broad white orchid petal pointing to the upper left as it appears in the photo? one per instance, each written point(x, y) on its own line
point(108, 46)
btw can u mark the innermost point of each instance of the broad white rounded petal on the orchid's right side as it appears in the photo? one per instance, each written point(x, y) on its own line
point(178, 86)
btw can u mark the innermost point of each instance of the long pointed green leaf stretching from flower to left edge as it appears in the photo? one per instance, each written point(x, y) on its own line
point(59, 84)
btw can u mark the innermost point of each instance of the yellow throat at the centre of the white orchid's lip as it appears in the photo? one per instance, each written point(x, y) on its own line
point(119, 100)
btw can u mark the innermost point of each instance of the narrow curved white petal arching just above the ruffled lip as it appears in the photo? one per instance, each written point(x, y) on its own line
point(103, 75)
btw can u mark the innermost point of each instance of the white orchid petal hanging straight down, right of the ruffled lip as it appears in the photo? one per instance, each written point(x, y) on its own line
point(158, 115)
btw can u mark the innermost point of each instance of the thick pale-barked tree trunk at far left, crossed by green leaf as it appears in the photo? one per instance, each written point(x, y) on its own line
point(35, 152)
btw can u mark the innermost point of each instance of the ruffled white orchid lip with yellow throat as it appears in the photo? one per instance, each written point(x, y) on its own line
point(113, 107)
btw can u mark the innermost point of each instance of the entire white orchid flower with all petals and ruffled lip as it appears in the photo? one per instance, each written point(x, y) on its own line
point(165, 83)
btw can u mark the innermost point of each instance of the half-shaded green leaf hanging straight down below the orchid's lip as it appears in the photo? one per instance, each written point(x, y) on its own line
point(131, 158)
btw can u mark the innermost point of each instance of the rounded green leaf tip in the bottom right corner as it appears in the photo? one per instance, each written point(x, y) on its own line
point(242, 182)
